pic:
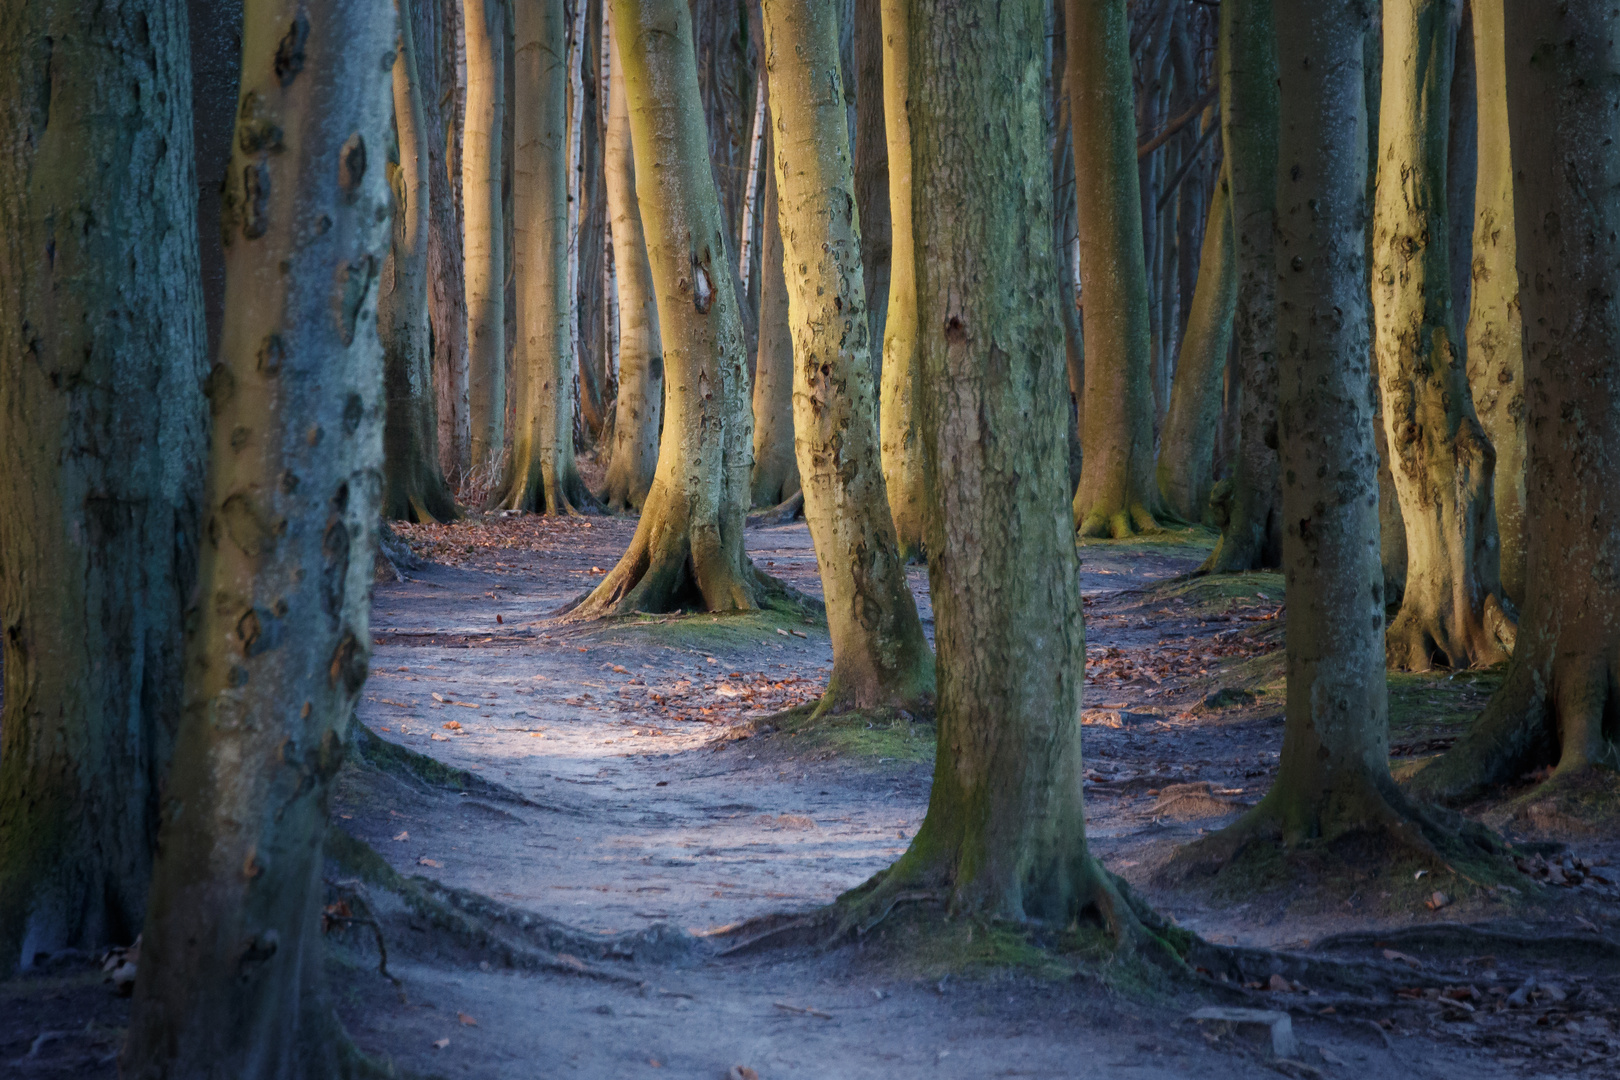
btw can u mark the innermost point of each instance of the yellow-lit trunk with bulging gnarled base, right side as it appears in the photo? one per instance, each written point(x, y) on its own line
point(1439, 454)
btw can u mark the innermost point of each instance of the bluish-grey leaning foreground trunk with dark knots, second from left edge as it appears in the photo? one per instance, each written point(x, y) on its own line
point(276, 647)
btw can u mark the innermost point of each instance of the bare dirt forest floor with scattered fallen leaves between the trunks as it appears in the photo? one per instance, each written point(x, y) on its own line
point(600, 812)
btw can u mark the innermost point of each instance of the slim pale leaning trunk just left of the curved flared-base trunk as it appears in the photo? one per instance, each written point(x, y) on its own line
point(641, 355)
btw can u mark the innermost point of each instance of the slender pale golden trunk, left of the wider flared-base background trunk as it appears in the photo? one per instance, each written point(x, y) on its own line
point(485, 236)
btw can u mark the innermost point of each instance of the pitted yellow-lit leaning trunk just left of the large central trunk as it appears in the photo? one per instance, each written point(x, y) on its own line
point(880, 655)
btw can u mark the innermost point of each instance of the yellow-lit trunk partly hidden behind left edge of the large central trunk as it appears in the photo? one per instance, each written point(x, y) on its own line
point(902, 388)
